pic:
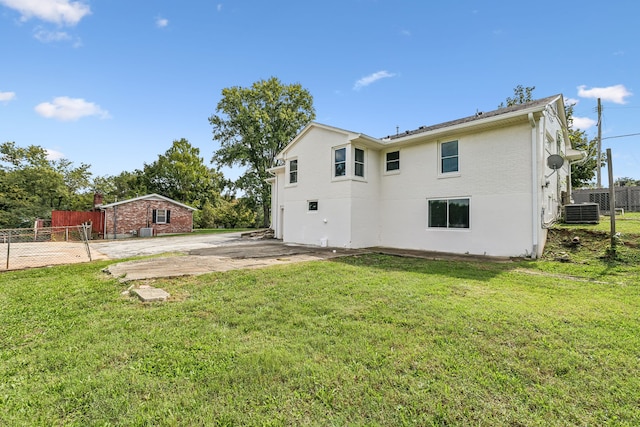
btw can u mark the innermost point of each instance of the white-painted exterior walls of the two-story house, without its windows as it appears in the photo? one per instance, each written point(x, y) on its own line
point(510, 204)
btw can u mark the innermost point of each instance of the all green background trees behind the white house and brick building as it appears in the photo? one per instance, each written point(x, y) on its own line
point(251, 124)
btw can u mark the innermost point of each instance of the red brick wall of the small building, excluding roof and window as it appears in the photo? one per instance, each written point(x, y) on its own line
point(138, 214)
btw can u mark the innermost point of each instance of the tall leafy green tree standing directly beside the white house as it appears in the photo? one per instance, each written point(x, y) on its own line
point(252, 125)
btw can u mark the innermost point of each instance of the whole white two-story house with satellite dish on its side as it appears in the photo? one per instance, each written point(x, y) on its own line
point(488, 184)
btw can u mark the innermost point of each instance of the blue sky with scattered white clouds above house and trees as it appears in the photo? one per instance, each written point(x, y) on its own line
point(112, 83)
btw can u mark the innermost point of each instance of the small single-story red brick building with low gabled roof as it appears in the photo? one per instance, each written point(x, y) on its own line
point(148, 215)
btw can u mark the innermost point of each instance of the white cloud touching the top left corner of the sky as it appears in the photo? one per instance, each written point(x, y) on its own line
point(64, 12)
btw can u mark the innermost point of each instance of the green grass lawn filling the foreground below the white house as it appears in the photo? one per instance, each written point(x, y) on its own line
point(367, 340)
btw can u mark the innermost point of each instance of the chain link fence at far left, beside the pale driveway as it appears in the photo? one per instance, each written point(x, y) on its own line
point(44, 246)
